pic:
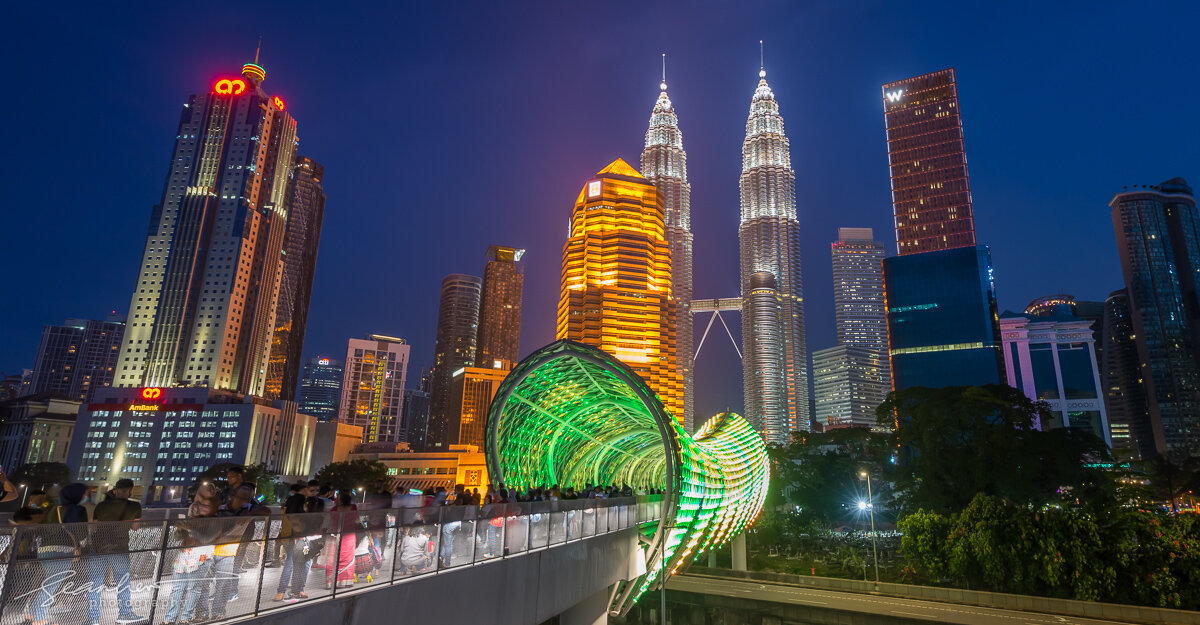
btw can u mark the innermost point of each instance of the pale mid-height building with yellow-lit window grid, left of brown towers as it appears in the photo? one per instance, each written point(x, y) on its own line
point(374, 388)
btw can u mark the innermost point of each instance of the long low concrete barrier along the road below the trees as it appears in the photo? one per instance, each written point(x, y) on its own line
point(1063, 608)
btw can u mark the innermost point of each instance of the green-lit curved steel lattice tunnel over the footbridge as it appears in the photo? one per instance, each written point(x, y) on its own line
point(572, 414)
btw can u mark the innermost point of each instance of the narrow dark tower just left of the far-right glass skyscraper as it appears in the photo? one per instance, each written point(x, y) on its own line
point(1133, 436)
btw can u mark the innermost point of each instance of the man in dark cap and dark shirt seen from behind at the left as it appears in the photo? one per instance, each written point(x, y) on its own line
point(115, 544)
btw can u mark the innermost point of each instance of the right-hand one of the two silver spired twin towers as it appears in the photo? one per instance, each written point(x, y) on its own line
point(770, 242)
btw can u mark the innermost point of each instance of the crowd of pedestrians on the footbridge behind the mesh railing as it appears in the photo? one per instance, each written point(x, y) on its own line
point(208, 552)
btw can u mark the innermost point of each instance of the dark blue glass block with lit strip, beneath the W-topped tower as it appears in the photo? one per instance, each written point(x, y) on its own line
point(943, 321)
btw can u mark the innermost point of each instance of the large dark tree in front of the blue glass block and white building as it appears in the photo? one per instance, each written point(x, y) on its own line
point(958, 442)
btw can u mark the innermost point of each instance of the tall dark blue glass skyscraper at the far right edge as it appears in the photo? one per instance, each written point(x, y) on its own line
point(1159, 241)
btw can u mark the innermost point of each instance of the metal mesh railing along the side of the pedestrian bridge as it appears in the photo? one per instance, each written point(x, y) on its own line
point(206, 570)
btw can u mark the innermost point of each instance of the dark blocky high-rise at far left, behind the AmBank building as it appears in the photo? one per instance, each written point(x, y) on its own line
point(77, 357)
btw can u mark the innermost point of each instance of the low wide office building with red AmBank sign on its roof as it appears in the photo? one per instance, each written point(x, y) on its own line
point(165, 438)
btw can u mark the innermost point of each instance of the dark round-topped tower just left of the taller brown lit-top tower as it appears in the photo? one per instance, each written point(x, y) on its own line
point(454, 350)
